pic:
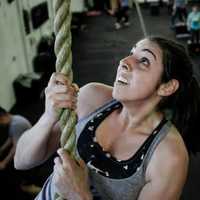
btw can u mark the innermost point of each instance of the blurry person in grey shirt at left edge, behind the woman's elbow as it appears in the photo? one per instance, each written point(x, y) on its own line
point(11, 129)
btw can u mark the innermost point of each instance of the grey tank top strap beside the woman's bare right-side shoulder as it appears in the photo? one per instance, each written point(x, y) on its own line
point(159, 137)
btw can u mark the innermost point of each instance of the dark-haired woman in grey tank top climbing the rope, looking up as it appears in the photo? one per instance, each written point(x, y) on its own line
point(130, 135)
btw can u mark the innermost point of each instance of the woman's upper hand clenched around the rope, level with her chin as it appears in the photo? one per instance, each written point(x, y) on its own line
point(59, 93)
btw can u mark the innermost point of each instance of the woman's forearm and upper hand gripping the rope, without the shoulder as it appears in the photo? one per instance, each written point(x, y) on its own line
point(38, 143)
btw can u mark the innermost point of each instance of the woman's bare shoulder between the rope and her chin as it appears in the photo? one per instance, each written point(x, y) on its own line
point(91, 96)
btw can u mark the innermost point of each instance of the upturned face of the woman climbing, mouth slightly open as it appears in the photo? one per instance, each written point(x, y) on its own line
point(139, 74)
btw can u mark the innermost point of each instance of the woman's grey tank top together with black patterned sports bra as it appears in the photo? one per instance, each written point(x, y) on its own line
point(111, 179)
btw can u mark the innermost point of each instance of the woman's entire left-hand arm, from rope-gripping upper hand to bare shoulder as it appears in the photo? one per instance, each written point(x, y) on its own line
point(38, 143)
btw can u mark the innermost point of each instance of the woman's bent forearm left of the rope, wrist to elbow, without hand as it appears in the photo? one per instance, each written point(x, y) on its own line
point(32, 147)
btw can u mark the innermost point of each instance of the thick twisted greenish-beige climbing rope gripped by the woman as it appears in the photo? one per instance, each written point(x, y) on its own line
point(62, 48)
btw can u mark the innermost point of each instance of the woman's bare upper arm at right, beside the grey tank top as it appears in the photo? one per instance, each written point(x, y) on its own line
point(167, 172)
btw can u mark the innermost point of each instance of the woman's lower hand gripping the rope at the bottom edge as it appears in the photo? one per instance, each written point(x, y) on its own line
point(71, 177)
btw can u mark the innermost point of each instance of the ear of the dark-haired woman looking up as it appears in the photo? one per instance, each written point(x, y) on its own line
point(167, 89)
